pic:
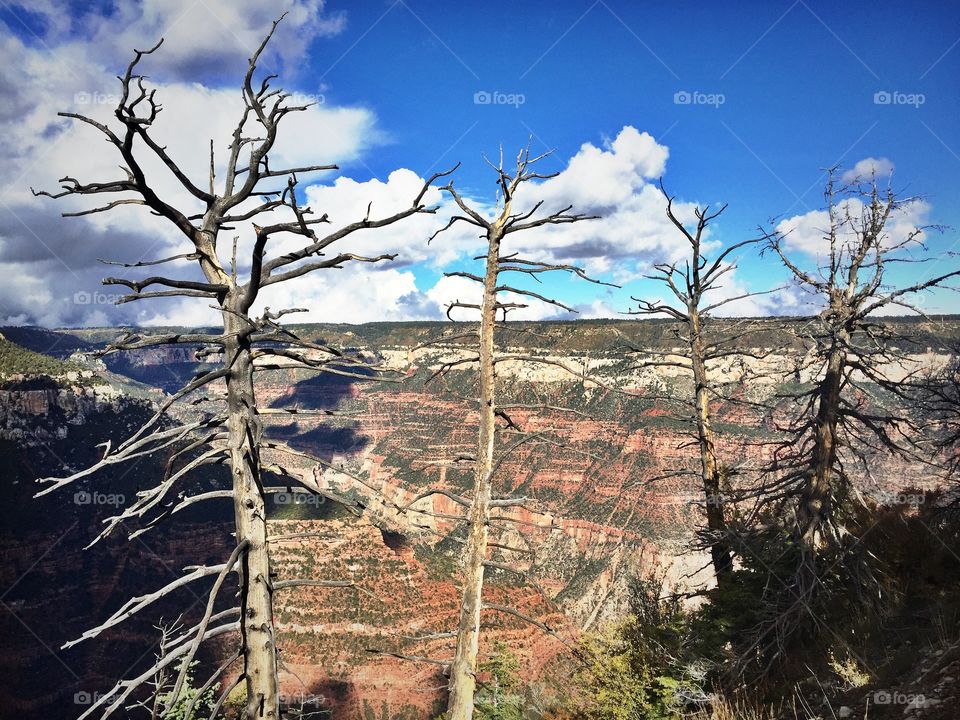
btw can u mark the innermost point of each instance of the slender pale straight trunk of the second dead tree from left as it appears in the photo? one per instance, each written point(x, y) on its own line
point(463, 669)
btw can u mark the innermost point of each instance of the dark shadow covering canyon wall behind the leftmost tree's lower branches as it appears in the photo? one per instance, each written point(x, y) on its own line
point(52, 590)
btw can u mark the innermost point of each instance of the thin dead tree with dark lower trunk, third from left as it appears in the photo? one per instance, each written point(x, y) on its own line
point(696, 284)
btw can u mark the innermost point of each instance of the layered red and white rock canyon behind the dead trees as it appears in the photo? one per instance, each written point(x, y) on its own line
point(608, 496)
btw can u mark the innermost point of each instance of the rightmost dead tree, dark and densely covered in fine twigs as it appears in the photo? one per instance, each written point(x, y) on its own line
point(856, 400)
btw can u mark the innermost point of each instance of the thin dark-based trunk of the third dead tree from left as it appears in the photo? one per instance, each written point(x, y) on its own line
point(720, 550)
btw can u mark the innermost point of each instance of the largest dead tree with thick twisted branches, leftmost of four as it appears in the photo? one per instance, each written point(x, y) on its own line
point(232, 436)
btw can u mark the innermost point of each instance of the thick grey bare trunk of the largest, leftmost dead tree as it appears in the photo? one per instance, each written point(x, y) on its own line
point(256, 595)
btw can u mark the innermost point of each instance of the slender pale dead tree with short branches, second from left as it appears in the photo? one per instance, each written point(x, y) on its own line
point(497, 299)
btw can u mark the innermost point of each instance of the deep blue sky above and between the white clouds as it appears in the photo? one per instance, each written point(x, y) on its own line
point(780, 91)
